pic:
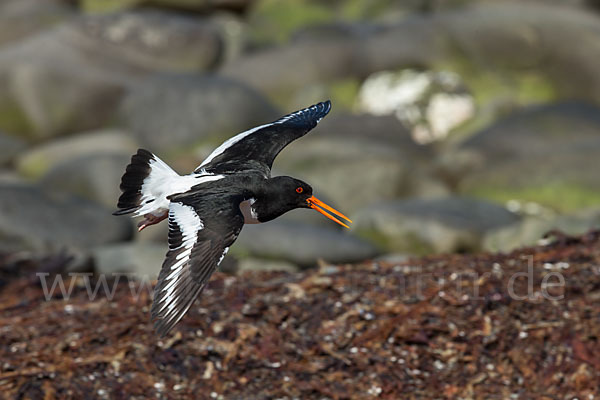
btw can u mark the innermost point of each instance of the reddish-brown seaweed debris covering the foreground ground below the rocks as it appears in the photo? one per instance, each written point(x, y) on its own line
point(485, 326)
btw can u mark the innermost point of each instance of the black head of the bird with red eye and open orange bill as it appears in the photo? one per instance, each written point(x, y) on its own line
point(291, 193)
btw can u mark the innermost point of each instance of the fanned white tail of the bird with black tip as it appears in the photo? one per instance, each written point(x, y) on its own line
point(143, 184)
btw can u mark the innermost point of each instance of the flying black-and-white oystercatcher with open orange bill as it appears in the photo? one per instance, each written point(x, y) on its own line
point(207, 208)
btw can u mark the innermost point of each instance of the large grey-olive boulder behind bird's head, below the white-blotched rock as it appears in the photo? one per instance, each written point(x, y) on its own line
point(355, 160)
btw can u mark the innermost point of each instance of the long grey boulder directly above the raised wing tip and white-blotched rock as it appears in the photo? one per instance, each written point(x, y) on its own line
point(352, 51)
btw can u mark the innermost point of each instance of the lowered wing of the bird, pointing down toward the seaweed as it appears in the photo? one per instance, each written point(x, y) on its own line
point(199, 238)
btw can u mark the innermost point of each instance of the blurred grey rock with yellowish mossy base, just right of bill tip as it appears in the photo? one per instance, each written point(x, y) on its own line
point(423, 226)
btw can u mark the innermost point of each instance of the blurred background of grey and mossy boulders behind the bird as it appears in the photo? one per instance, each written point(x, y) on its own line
point(457, 125)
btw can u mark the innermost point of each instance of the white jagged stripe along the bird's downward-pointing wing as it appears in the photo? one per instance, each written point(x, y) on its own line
point(189, 224)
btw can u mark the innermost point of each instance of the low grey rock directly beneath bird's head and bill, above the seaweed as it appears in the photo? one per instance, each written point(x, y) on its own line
point(300, 244)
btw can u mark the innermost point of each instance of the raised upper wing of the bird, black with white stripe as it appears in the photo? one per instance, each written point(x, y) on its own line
point(257, 148)
